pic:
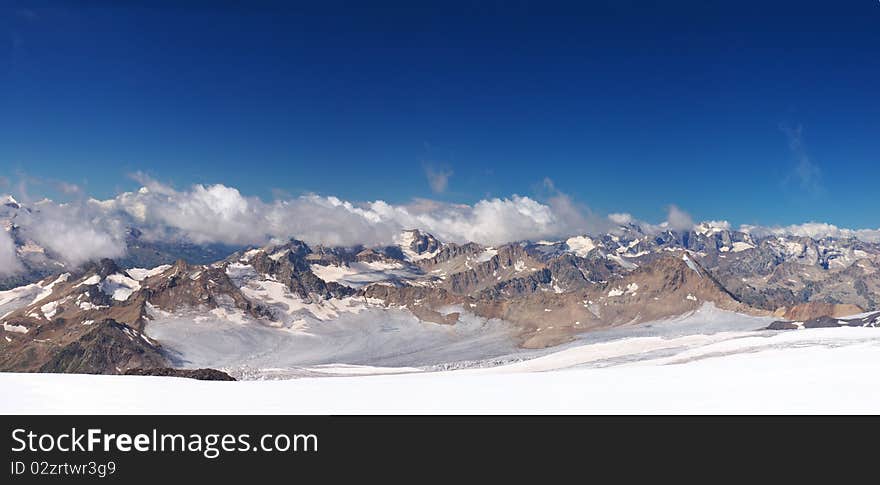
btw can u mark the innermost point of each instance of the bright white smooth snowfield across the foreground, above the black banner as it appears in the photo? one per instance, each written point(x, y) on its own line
point(808, 371)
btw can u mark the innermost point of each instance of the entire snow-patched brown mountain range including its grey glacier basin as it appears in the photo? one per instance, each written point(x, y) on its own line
point(178, 304)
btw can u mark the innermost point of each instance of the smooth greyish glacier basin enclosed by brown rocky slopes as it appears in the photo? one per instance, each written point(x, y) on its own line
point(371, 337)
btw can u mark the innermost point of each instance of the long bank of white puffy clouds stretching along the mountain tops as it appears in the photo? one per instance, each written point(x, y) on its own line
point(88, 229)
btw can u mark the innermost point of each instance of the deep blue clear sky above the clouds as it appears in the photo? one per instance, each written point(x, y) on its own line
point(750, 113)
